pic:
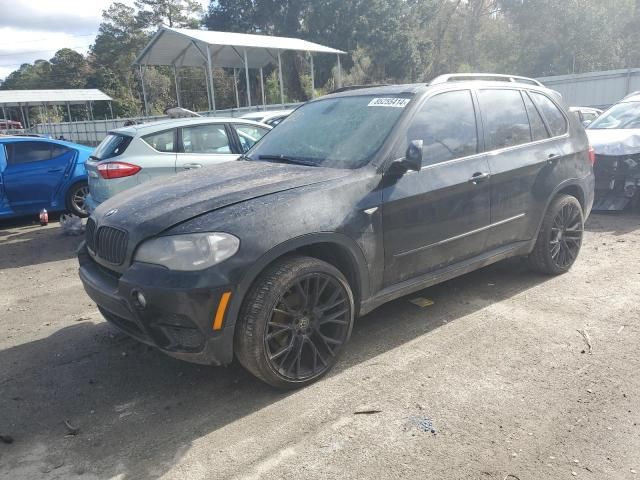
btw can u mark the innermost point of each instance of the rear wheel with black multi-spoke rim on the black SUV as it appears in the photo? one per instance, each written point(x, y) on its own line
point(560, 237)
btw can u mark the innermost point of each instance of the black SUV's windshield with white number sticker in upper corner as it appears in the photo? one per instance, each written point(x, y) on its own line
point(342, 132)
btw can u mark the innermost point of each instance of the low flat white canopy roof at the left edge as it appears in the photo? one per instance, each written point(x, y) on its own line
point(16, 98)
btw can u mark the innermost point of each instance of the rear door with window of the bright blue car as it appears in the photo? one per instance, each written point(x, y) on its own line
point(35, 173)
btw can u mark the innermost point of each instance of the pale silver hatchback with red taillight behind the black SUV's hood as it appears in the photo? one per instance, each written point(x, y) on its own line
point(132, 155)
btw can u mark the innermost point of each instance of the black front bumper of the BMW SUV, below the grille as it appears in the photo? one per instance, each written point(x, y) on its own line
point(175, 316)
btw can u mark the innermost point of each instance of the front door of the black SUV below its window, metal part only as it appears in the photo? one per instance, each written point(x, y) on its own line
point(434, 218)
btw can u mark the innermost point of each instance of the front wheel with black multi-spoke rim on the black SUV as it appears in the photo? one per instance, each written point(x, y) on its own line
point(295, 322)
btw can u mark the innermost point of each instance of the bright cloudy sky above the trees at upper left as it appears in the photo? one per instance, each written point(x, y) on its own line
point(36, 29)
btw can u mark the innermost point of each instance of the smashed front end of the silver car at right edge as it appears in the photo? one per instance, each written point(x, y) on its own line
point(617, 181)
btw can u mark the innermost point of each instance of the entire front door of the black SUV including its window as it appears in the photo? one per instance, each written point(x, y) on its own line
point(439, 215)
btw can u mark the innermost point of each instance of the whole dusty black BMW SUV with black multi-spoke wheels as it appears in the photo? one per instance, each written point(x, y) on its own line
point(356, 199)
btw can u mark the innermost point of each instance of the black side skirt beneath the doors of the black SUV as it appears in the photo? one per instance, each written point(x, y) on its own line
point(447, 273)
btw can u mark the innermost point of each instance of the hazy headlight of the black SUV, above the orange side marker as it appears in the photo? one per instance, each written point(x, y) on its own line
point(194, 251)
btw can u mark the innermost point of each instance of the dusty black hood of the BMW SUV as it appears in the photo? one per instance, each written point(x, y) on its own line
point(158, 205)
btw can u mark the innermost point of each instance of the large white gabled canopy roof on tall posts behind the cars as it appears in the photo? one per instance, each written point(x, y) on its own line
point(188, 48)
